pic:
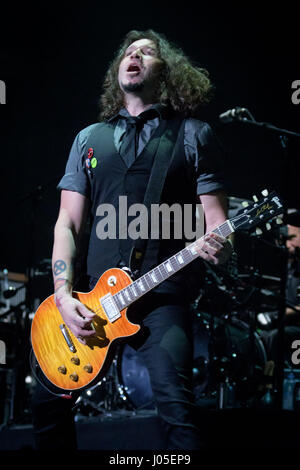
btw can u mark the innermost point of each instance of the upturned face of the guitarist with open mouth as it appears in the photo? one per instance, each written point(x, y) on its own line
point(139, 67)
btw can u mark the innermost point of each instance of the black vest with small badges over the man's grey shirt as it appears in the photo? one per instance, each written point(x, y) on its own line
point(110, 178)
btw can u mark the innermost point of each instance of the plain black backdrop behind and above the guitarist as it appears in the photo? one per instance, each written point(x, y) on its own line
point(53, 59)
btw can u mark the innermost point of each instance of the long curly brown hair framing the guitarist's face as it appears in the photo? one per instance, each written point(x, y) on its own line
point(183, 87)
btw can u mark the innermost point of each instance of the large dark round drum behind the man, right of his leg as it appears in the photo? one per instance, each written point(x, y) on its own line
point(227, 344)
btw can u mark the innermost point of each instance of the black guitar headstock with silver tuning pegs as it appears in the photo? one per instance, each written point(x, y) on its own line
point(259, 212)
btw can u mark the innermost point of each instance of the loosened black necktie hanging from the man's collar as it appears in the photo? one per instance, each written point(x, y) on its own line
point(129, 145)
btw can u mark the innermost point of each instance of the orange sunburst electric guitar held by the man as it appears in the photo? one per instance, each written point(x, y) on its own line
point(71, 365)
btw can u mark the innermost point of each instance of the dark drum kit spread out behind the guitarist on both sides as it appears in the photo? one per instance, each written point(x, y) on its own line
point(232, 308)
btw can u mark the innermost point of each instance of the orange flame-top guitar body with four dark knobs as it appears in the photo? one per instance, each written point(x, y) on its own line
point(74, 370)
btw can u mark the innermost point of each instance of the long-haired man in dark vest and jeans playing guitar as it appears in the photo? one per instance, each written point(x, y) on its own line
point(153, 83)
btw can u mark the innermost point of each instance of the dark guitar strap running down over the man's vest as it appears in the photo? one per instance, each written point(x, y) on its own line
point(143, 253)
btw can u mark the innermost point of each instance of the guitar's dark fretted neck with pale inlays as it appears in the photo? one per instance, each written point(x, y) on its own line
point(163, 271)
